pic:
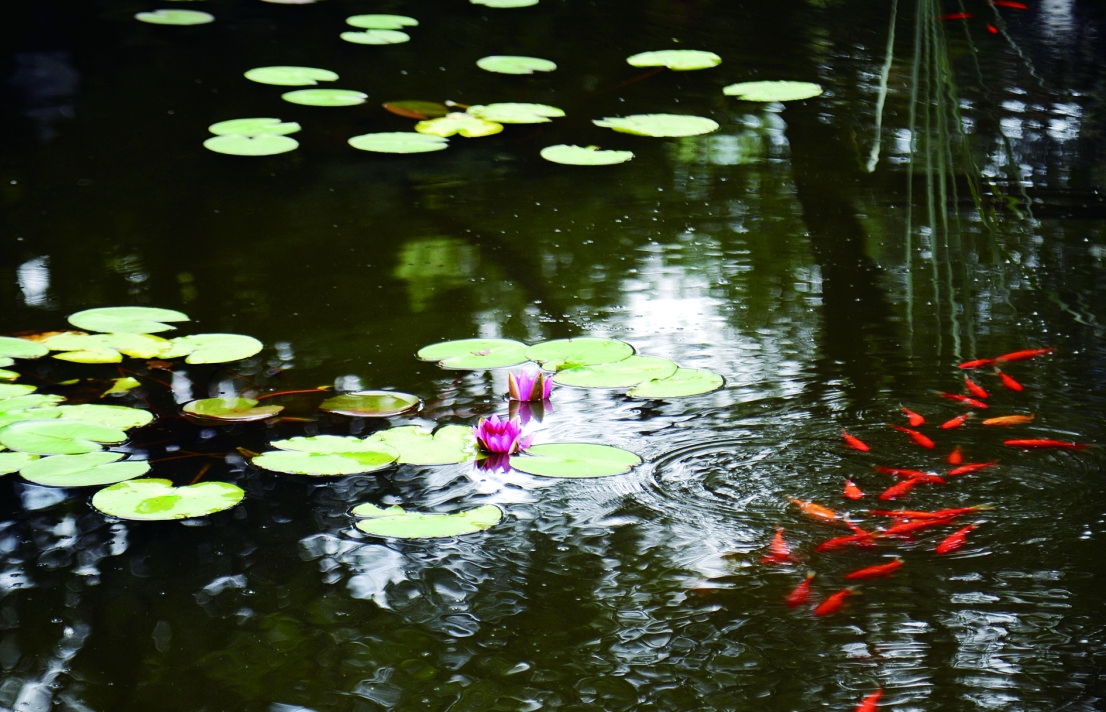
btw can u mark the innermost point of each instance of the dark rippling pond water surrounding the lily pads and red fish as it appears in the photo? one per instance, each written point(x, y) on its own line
point(833, 259)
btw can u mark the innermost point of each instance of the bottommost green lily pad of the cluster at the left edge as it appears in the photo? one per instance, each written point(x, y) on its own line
point(158, 500)
